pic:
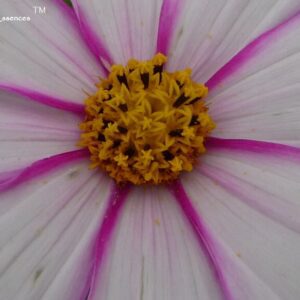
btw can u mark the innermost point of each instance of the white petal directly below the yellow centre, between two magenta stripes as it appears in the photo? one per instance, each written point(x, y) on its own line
point(154, 254)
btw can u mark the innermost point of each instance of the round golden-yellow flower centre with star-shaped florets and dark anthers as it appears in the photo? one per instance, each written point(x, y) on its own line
point(145, 125)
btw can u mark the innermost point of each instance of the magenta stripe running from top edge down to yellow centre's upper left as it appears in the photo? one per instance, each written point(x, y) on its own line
point(92, 40)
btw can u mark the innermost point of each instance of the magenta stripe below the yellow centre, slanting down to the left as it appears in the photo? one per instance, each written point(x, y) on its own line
point(116, 201)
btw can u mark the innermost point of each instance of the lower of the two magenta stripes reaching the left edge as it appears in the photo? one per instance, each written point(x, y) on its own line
point(13, 178)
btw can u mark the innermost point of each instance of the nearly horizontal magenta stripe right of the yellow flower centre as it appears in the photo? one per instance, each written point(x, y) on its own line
point(260, 147)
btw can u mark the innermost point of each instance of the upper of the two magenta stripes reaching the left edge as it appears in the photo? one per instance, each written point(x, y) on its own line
point(45, 99)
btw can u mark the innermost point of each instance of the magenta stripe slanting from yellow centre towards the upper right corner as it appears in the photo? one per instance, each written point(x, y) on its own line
point(247, 53)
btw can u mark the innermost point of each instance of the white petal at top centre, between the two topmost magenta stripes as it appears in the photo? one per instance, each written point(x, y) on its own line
point(126, 28)
